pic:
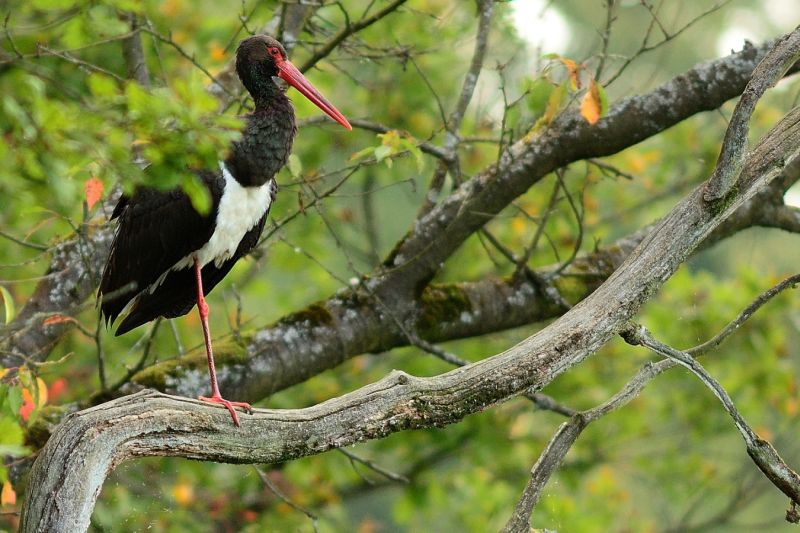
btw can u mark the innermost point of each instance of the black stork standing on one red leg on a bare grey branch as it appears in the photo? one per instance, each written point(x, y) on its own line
point(165, 255)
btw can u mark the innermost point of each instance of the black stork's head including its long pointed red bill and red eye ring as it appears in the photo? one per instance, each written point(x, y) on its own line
point(261, 57)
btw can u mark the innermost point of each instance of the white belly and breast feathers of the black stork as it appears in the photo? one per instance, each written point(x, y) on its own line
point(240, 208)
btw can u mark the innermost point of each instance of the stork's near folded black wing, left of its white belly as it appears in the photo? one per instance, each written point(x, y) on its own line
point(156, 230)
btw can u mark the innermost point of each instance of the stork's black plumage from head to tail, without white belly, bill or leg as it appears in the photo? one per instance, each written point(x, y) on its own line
point(157, 229)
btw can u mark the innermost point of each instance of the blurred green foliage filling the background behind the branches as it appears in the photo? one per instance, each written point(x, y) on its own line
point(670, 455)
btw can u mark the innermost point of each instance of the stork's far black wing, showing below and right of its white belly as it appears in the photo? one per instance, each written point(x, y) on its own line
point(178, 294)
